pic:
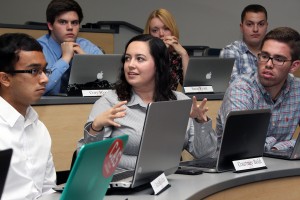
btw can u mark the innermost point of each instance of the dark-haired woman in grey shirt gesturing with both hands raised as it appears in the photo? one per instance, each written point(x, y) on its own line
point(145, 78)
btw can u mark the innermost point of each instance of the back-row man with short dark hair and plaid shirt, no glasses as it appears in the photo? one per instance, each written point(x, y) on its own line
point(253, 27)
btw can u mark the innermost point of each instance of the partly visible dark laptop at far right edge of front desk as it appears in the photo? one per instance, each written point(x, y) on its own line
point(289, 154)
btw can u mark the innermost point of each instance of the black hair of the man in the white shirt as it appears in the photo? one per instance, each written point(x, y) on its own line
point(10, 46)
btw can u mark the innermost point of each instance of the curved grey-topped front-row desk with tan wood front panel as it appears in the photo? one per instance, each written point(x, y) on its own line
point(280, 181)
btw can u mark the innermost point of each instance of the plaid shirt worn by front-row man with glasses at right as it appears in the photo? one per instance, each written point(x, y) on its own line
point(247, 93)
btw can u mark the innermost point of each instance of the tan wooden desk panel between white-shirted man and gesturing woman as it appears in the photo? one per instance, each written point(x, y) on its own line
point(65, 124)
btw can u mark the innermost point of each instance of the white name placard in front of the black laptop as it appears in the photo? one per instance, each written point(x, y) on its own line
point(249, 164)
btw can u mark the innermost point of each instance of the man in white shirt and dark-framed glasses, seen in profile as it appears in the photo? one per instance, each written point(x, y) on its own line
point(23, 79)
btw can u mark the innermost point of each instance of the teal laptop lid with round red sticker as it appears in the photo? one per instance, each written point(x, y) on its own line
point(93, 169)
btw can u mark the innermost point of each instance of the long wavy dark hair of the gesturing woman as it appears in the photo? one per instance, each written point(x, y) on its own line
point(159, 52)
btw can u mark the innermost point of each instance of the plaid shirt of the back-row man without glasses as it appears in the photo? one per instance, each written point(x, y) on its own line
point(245, 61)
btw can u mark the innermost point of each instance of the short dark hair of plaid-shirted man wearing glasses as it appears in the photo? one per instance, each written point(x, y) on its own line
point(288, 36)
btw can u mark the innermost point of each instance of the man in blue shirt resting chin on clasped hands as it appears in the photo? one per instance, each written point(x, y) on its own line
point(60, 45)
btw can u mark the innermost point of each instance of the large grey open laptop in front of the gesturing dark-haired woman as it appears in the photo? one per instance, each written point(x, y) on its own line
point(161, 144)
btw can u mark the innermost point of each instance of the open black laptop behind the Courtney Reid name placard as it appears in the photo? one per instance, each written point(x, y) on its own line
point(243, 137)
